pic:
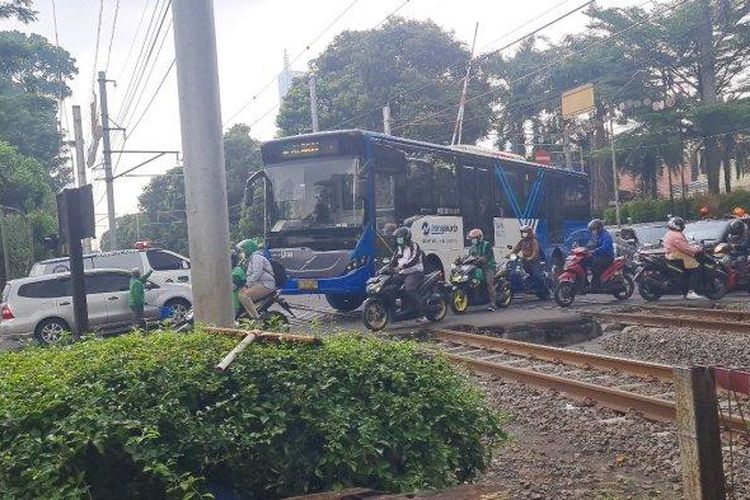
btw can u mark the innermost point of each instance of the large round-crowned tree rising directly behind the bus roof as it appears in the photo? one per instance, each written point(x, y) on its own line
point(414, 66)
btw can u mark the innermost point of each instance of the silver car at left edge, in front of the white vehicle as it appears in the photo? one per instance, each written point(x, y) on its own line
point(42, 306)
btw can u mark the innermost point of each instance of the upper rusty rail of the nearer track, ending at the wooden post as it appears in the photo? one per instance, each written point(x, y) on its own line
point(638, 368)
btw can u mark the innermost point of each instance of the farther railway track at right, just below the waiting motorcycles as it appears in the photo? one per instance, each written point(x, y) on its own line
point(721, 320)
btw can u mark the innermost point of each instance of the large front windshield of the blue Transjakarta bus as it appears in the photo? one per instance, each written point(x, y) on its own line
point(317, 193)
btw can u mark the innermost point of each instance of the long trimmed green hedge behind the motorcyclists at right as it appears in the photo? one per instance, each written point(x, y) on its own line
point(658, 210)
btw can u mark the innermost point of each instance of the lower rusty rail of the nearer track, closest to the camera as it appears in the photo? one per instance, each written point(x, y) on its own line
point(616, 399)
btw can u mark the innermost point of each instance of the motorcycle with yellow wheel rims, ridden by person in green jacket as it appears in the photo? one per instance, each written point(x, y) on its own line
point(467, 286)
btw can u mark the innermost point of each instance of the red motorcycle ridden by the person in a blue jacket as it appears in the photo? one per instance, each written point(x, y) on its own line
point(573, 279)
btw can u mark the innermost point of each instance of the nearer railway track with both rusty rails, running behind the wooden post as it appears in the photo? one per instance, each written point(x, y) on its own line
point(620, 384)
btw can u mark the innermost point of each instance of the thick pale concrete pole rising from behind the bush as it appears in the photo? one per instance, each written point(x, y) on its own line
point(203, 149)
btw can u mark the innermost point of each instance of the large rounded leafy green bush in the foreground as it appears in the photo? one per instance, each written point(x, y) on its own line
point(144, 416)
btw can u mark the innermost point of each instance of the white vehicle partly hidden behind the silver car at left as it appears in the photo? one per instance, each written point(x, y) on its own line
point(168, 267)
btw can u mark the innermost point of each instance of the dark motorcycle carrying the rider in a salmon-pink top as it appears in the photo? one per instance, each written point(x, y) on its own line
point(658, 276)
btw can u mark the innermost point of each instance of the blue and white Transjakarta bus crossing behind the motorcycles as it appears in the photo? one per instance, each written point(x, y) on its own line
point(333, 199)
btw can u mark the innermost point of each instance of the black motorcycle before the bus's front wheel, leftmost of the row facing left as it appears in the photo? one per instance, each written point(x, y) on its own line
point(385, 303)
